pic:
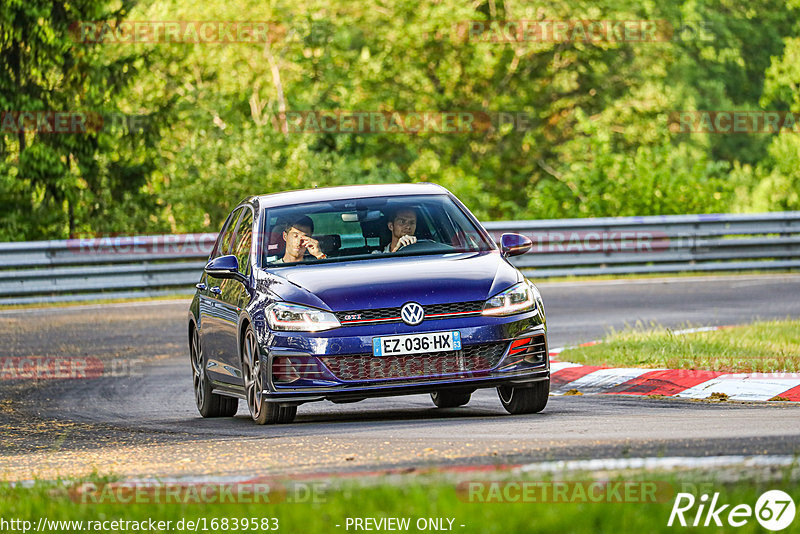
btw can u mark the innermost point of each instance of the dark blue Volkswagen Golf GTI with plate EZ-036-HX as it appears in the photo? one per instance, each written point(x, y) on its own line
point(348, 293)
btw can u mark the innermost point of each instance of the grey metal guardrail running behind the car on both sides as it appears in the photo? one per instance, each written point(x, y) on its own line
point(122, 267)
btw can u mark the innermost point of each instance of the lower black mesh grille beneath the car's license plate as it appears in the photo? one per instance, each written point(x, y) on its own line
point(472, 359)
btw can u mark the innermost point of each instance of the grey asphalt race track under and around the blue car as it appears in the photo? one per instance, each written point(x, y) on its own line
point(144, 422)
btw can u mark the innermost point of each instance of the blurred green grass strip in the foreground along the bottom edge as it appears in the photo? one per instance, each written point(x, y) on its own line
point(432, 499)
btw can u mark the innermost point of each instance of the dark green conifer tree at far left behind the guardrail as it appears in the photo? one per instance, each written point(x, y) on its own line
point(56, 184)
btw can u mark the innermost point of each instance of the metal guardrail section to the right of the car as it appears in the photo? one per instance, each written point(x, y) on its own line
point(657, 244)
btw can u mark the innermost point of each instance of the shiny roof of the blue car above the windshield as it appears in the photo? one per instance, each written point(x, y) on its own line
point(323, 194)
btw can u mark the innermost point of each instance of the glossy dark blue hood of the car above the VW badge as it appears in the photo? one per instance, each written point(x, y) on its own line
point(392, 281)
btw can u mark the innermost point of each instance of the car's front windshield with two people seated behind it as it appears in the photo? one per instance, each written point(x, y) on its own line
point(361, 229)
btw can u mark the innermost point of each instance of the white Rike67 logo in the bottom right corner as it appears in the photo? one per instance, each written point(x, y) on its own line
point(774, 510)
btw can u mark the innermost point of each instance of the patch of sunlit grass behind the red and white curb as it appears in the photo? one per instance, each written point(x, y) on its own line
point(764, 346)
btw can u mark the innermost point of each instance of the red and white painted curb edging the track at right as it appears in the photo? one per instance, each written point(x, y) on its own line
point(684, 383)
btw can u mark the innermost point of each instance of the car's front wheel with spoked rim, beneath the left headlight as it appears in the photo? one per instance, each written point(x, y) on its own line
point(261, 411)
